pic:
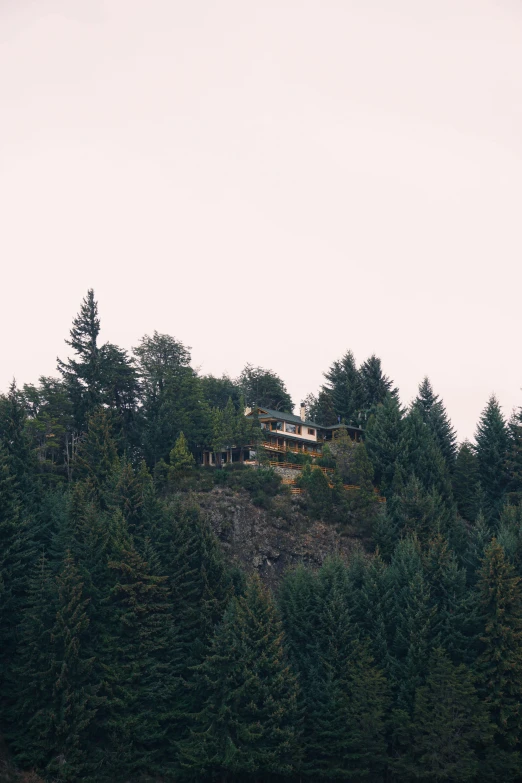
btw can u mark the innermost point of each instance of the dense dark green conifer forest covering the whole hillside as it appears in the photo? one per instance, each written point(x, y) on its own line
point(132, 649)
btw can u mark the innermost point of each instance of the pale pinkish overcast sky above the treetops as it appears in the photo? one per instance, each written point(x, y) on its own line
point(271, 181)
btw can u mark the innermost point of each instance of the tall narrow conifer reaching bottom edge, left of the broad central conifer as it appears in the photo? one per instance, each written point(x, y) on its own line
point(140, 681)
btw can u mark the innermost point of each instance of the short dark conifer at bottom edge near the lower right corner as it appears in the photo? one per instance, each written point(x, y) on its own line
point(448, 728)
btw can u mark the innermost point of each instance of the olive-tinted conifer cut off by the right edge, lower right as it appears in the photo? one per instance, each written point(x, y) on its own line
point(499, 666)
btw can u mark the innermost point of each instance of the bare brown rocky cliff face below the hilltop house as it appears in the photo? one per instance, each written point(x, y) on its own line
point(269, 541)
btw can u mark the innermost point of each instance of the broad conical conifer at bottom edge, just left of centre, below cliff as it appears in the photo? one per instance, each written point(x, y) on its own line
point(249, 724)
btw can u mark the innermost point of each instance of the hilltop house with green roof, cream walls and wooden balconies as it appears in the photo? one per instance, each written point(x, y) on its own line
point(283, 433)
